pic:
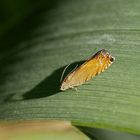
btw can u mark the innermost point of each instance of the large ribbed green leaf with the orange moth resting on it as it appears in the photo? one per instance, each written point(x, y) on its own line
point(35, 53)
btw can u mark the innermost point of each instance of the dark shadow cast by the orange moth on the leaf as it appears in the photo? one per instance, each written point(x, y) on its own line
point(50, 85)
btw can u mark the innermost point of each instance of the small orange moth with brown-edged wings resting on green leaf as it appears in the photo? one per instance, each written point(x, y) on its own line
point(89, 69)
